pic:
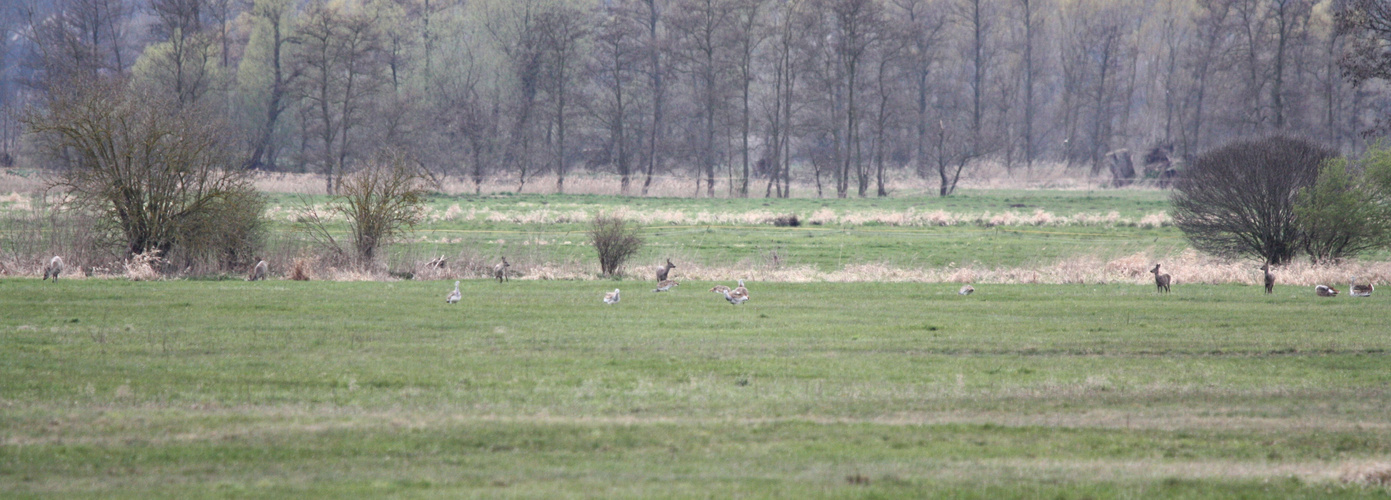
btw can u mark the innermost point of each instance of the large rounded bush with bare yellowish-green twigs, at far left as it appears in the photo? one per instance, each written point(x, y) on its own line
point(163, 173)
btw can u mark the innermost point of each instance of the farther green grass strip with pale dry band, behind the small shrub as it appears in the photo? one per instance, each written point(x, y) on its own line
point(987, 229)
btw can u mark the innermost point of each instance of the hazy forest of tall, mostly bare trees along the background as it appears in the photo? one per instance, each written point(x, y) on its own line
point(739, 97)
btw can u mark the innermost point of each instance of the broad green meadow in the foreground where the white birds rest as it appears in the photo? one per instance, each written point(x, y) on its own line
point(536, 389)
